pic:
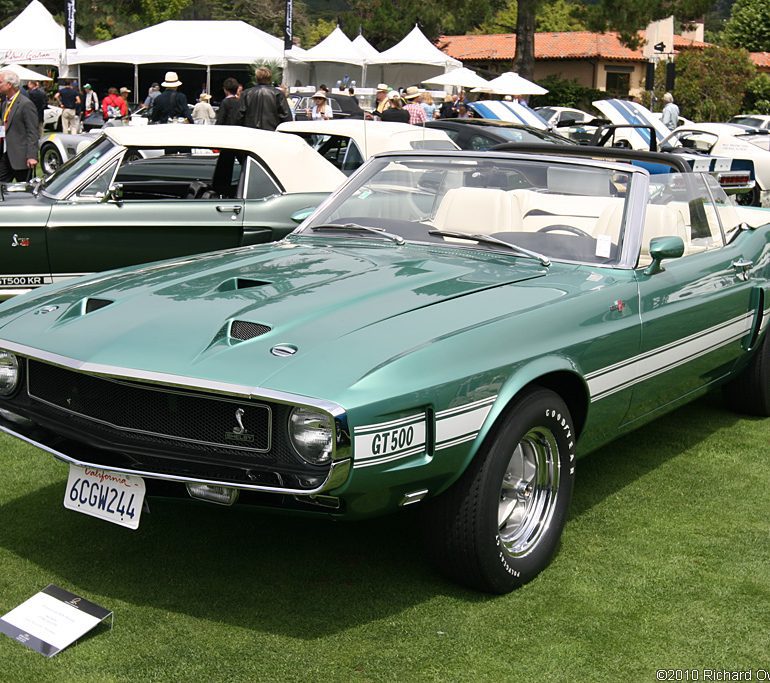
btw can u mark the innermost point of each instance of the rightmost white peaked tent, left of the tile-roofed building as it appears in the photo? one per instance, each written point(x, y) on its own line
point(412, 60)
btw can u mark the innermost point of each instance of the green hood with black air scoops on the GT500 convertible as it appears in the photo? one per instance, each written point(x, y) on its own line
point(176, 318)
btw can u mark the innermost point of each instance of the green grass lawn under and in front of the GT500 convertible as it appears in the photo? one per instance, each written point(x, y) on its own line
point(665, 563)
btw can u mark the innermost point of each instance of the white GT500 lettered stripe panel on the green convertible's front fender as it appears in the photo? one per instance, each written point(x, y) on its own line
point(386, 441)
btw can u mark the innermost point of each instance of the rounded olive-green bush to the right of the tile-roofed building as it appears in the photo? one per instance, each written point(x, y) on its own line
point(710, 83)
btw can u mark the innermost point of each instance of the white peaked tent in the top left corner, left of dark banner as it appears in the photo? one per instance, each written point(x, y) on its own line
point(34, 37)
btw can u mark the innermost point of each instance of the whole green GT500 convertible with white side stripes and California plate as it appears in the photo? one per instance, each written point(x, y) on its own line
point(450, 331)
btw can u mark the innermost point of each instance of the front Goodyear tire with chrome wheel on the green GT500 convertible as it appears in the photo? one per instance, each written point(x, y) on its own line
point(499, 526)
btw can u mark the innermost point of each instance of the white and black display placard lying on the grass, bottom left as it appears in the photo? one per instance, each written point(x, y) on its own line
point(51, 620)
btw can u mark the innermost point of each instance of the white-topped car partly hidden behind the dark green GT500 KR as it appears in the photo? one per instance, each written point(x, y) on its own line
point(347, 143)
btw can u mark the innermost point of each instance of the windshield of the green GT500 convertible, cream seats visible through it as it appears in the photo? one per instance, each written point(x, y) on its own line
point(561, 210)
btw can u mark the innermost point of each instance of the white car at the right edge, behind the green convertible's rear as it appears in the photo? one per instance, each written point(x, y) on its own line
point(748, 147)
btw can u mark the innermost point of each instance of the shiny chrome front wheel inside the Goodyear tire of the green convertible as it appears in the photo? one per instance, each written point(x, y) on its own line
point(529, 491)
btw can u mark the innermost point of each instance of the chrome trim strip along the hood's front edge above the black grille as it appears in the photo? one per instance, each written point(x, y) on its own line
point(242, 390)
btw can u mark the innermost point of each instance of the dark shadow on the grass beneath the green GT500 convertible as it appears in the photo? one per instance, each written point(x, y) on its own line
point(305, 578)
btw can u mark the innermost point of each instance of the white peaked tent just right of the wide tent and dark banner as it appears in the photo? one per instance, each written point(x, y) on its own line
point(330, 61)
